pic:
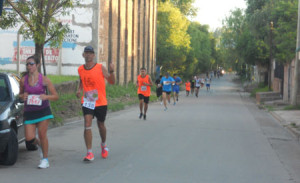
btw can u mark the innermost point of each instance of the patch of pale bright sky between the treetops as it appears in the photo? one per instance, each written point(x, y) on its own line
point(212, 12)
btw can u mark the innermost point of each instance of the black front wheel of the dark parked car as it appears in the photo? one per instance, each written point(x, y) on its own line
point(10, 154)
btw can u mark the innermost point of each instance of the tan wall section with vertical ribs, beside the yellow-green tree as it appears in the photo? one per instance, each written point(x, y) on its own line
point(130, 36)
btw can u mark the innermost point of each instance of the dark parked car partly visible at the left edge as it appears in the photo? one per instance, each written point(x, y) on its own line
point(11, 118)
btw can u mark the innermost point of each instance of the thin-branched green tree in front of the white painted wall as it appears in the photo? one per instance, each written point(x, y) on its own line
point(39, 20)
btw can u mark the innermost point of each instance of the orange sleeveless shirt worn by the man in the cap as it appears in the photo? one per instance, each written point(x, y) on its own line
point(93, 79)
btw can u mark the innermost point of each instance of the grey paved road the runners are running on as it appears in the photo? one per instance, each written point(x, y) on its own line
point(220, 137)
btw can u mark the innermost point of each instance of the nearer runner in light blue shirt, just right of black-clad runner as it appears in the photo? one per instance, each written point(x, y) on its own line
point(167, 82)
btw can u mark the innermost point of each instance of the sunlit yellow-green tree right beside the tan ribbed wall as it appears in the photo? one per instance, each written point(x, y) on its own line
point(173, 42)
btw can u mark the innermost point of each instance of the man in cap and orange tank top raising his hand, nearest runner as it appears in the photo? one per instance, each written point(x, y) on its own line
point(92, 83)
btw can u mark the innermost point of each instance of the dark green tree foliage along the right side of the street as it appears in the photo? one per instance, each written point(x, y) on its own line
point(247, 36)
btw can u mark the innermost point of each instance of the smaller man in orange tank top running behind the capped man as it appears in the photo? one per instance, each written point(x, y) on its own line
point(144, 84)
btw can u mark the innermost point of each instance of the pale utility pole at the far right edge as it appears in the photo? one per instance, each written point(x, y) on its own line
point(295, 78)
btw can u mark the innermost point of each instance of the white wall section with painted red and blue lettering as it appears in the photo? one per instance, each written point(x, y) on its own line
point(80, 21)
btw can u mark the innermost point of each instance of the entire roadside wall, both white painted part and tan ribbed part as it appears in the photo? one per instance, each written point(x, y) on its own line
point(121, 31)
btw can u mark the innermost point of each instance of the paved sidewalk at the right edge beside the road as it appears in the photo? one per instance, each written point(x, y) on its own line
point(290, 119)
